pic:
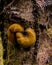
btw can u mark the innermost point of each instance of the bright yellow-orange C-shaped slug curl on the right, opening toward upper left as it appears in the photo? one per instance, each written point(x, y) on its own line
point(26, 40)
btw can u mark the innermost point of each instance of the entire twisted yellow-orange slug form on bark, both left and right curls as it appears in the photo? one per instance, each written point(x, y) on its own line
point(25, 40)
